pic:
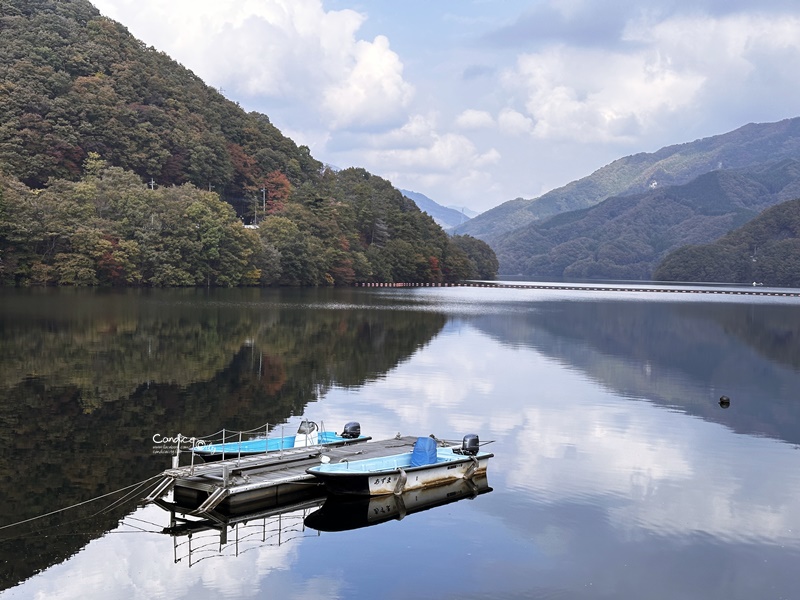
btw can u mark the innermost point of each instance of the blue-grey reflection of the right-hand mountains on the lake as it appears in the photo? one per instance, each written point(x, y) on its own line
point(684, 355)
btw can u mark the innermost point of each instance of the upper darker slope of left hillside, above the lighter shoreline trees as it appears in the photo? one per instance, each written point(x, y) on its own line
point(75, 82)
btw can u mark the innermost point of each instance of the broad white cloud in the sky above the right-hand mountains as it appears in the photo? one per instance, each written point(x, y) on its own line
point(663, 68)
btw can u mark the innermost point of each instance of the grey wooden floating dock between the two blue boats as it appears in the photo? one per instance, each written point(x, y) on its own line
point(236, 485)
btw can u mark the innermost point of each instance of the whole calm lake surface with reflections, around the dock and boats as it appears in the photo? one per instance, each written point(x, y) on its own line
point(616, 474)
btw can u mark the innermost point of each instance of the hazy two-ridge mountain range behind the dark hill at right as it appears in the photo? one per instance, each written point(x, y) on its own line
point(621, 220)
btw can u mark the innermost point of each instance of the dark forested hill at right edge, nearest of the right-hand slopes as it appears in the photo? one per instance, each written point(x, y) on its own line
point(765, 251)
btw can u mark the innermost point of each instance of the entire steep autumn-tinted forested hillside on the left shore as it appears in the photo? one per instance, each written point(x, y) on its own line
point(114, 159)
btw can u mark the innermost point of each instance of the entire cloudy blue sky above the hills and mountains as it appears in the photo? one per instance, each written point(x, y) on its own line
point(477, 102)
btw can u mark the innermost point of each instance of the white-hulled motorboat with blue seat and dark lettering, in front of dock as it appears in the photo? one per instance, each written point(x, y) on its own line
point(428, 464)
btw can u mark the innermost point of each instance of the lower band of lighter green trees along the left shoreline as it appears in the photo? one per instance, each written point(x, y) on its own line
point(108, 228)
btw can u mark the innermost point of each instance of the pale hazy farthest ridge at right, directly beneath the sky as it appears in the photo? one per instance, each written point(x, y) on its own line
point(750, 145)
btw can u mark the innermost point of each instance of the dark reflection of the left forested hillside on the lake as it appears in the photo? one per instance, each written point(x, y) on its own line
point(88, 380)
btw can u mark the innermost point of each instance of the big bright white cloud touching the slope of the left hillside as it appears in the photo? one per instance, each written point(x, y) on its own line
point(289, 50)
